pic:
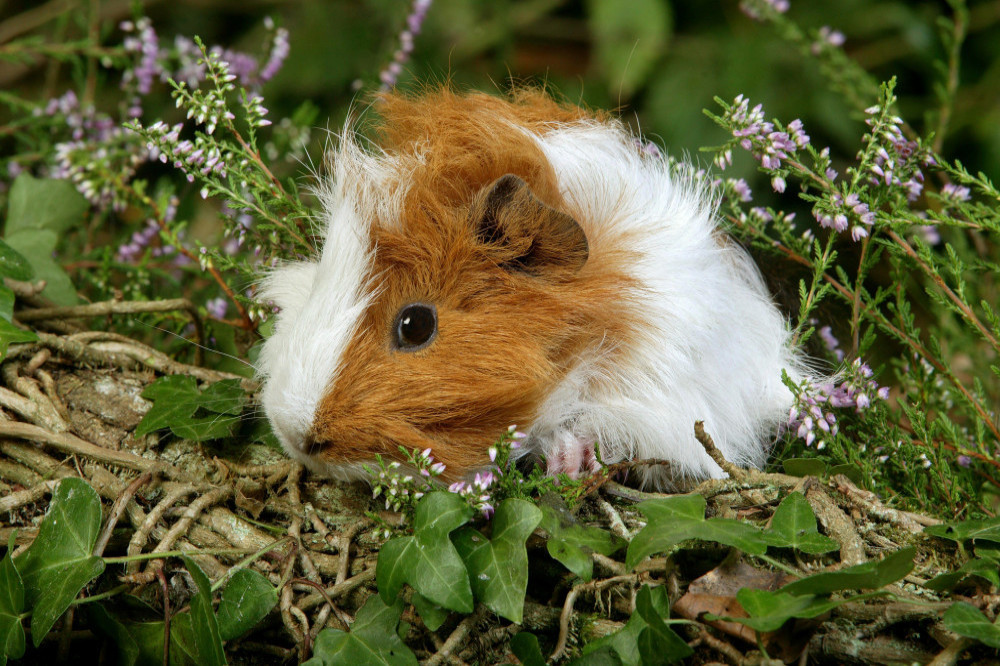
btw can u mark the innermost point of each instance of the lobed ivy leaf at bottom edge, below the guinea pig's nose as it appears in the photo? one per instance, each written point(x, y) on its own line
point(372, 639)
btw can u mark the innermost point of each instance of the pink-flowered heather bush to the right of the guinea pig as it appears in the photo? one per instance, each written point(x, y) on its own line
point(885, 226)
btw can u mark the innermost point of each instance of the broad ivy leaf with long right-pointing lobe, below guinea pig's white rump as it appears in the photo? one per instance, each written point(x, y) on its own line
point(672, 520)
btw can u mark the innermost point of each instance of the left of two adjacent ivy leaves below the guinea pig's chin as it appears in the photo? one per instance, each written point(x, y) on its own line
point(428, 561)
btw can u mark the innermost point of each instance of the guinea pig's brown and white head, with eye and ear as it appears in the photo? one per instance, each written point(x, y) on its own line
point(435, 320)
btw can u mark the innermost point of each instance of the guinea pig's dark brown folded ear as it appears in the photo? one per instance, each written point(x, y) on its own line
point(524, 233)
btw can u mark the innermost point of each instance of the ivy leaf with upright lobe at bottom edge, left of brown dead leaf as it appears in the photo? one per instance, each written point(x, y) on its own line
point(645, 638)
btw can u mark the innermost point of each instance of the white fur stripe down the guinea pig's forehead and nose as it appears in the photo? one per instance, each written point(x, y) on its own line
point(321, 302)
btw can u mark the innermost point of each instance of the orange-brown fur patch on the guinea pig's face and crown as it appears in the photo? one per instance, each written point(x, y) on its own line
point(505, 337)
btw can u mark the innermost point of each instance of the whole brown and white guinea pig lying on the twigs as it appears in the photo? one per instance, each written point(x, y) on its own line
point(490, 262)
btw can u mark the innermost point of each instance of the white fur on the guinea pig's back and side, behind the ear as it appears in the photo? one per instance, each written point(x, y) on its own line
point(714, 345)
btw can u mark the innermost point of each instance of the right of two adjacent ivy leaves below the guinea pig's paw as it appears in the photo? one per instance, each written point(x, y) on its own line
point(498, 567)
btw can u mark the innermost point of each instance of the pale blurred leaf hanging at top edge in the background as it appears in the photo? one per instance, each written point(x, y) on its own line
point(629, 39)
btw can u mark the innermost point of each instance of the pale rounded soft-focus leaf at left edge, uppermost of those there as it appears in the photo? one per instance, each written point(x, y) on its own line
point(49, 204)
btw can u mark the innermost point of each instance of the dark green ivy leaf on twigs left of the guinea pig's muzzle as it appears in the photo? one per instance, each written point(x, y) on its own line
point(177, 403)
